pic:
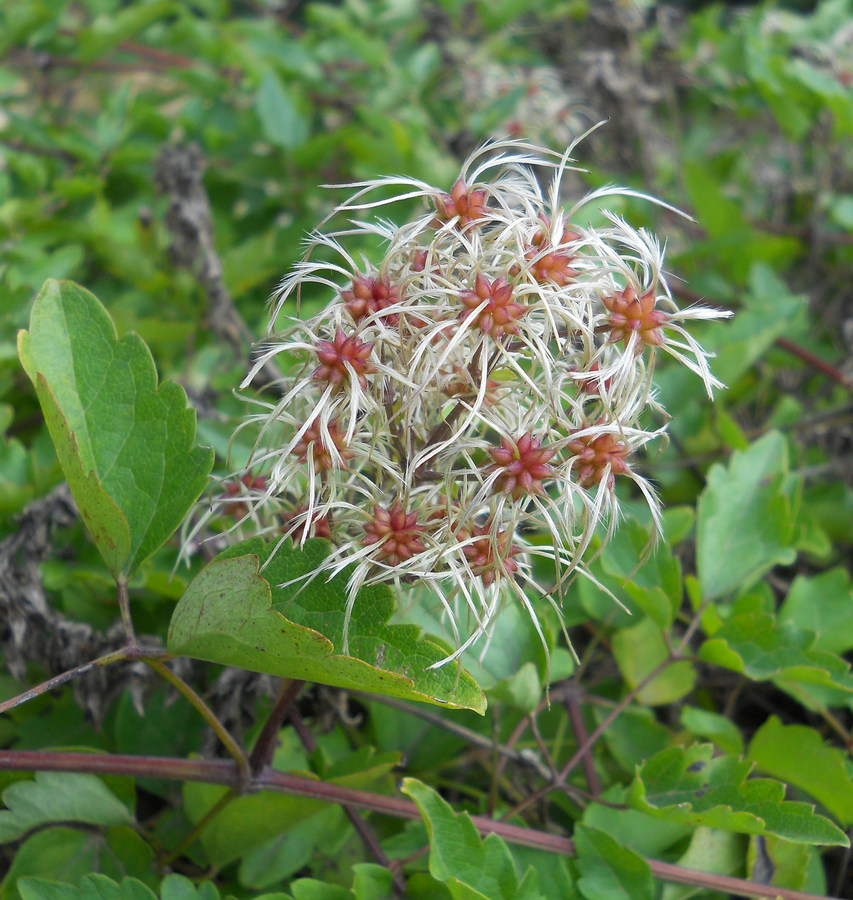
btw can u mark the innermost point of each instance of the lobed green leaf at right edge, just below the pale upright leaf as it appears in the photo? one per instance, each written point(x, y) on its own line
point(755, 644)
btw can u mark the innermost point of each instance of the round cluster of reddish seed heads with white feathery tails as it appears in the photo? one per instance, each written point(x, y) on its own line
point(489, 378)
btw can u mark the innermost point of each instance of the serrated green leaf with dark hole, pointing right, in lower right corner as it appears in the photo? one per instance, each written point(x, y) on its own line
point(692, 786)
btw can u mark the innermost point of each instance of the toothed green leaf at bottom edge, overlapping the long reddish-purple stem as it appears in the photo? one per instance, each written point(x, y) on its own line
point(471, 867)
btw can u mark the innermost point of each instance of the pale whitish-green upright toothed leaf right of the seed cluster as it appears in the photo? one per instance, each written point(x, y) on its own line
point(745, 521)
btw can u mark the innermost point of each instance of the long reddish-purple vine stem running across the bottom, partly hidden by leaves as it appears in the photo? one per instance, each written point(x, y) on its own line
point(228, 773)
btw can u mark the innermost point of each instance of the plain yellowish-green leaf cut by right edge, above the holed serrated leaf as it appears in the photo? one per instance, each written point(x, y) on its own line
point(799, 756)
